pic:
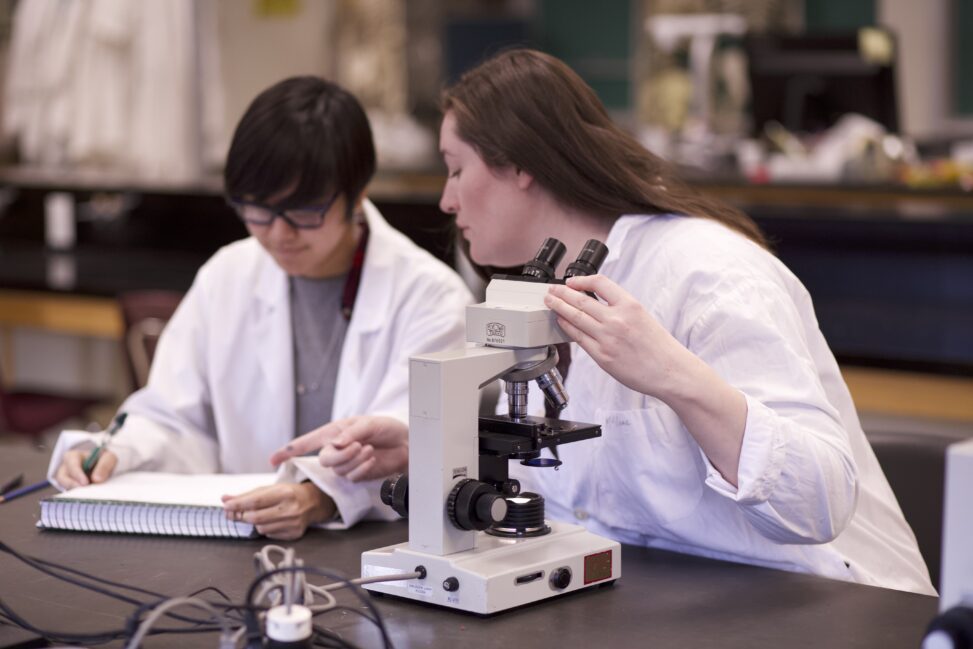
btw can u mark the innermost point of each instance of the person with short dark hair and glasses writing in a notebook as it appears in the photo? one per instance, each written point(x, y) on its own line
point(306, 325)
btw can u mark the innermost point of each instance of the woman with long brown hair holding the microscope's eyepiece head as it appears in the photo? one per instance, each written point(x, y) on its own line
point(727, 428)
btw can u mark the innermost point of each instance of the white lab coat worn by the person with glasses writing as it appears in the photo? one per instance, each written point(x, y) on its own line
point(221, 393)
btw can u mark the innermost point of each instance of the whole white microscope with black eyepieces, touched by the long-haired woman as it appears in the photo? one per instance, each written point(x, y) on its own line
point(477, 542)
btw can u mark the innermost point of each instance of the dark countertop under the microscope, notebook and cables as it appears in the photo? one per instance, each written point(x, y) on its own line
point(662, 600)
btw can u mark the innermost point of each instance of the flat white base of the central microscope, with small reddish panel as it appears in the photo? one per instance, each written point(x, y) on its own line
point(499, 573)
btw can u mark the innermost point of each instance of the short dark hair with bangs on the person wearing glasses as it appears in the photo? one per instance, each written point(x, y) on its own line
point(302, 133)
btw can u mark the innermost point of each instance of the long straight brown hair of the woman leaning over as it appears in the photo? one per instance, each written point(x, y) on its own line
point(529, 110)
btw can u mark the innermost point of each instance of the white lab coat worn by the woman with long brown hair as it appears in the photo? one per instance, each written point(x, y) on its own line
point(811, 495)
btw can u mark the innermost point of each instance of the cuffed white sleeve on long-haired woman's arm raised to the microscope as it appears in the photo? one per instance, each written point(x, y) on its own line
point(797, 478)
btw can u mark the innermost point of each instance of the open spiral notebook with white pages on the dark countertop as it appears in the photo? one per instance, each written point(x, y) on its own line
point(170, 504)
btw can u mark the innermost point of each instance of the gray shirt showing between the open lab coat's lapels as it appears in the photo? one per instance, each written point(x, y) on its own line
point(319, 331)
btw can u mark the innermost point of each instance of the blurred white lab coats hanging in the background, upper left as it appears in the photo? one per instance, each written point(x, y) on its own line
point(113, 84)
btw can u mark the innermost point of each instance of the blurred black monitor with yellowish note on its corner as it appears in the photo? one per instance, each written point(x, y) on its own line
point(808, 81)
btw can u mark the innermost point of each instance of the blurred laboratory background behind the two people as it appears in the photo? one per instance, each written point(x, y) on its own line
point(844, 127)
